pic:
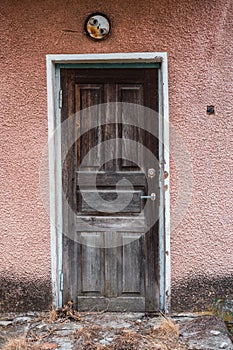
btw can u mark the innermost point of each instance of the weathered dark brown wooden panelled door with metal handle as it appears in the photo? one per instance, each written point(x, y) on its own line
point(108, 260)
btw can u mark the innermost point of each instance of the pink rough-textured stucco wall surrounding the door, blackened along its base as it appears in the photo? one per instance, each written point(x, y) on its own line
point(197, 35)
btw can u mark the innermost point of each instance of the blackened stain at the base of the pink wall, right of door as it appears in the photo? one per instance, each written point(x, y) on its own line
point(200, 293)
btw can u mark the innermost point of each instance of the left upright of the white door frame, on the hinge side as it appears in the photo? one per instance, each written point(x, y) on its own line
point(55, 182)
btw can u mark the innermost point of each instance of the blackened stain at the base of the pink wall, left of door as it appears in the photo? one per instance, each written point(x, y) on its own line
point(17, 295)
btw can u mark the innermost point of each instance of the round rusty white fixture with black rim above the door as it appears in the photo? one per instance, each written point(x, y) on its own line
point(97, 26)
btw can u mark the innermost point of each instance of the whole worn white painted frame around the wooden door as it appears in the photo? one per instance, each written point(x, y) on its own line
point(55, 168)
